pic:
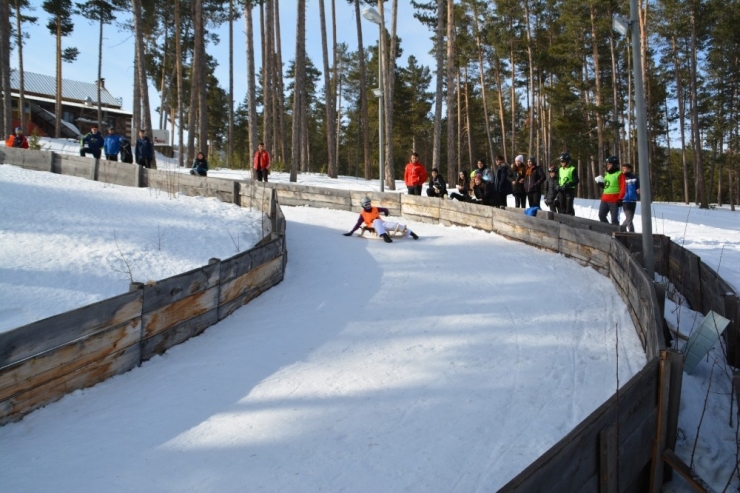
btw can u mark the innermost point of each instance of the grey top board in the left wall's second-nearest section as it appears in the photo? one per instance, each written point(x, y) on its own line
point(181, 286)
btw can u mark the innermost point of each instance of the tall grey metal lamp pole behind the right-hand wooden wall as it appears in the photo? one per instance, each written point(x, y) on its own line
point(642, 150)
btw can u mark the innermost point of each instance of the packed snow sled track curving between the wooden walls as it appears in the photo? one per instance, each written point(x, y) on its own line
point(444, 364)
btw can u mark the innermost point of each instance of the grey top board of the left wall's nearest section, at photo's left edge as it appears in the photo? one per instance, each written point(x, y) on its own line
point(43, 335)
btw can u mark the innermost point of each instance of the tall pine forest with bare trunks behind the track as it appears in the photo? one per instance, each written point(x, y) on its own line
point(530, 77)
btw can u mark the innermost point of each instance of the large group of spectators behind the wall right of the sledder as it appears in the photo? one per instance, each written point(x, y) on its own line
point(527, 183)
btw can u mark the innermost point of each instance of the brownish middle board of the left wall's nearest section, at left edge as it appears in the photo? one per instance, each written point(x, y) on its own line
point(29, 373)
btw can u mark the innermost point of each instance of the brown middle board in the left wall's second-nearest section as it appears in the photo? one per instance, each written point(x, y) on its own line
point(177, 312)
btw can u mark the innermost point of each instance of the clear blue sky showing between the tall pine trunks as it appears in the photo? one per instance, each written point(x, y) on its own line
point(39, 50)
